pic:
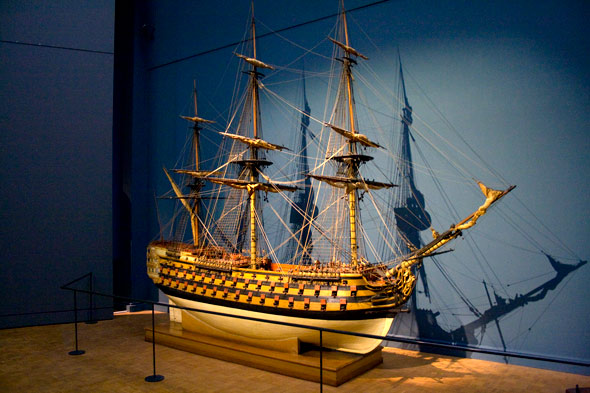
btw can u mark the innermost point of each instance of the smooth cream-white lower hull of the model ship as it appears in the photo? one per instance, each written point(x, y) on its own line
point(267, 331)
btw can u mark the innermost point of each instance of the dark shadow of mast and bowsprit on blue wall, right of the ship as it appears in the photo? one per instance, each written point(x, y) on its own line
point(410, 217)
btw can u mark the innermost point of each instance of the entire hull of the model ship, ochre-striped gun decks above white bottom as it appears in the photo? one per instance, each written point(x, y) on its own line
point(338, 300)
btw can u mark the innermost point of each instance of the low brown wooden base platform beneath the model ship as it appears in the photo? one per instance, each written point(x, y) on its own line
point(337, 367)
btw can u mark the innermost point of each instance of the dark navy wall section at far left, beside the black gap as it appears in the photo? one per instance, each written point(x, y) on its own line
point(56, 153)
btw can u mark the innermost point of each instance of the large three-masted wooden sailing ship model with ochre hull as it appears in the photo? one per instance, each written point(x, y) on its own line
point(230, 269)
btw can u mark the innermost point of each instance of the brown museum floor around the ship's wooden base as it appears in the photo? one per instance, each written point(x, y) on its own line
point(117, 359)
